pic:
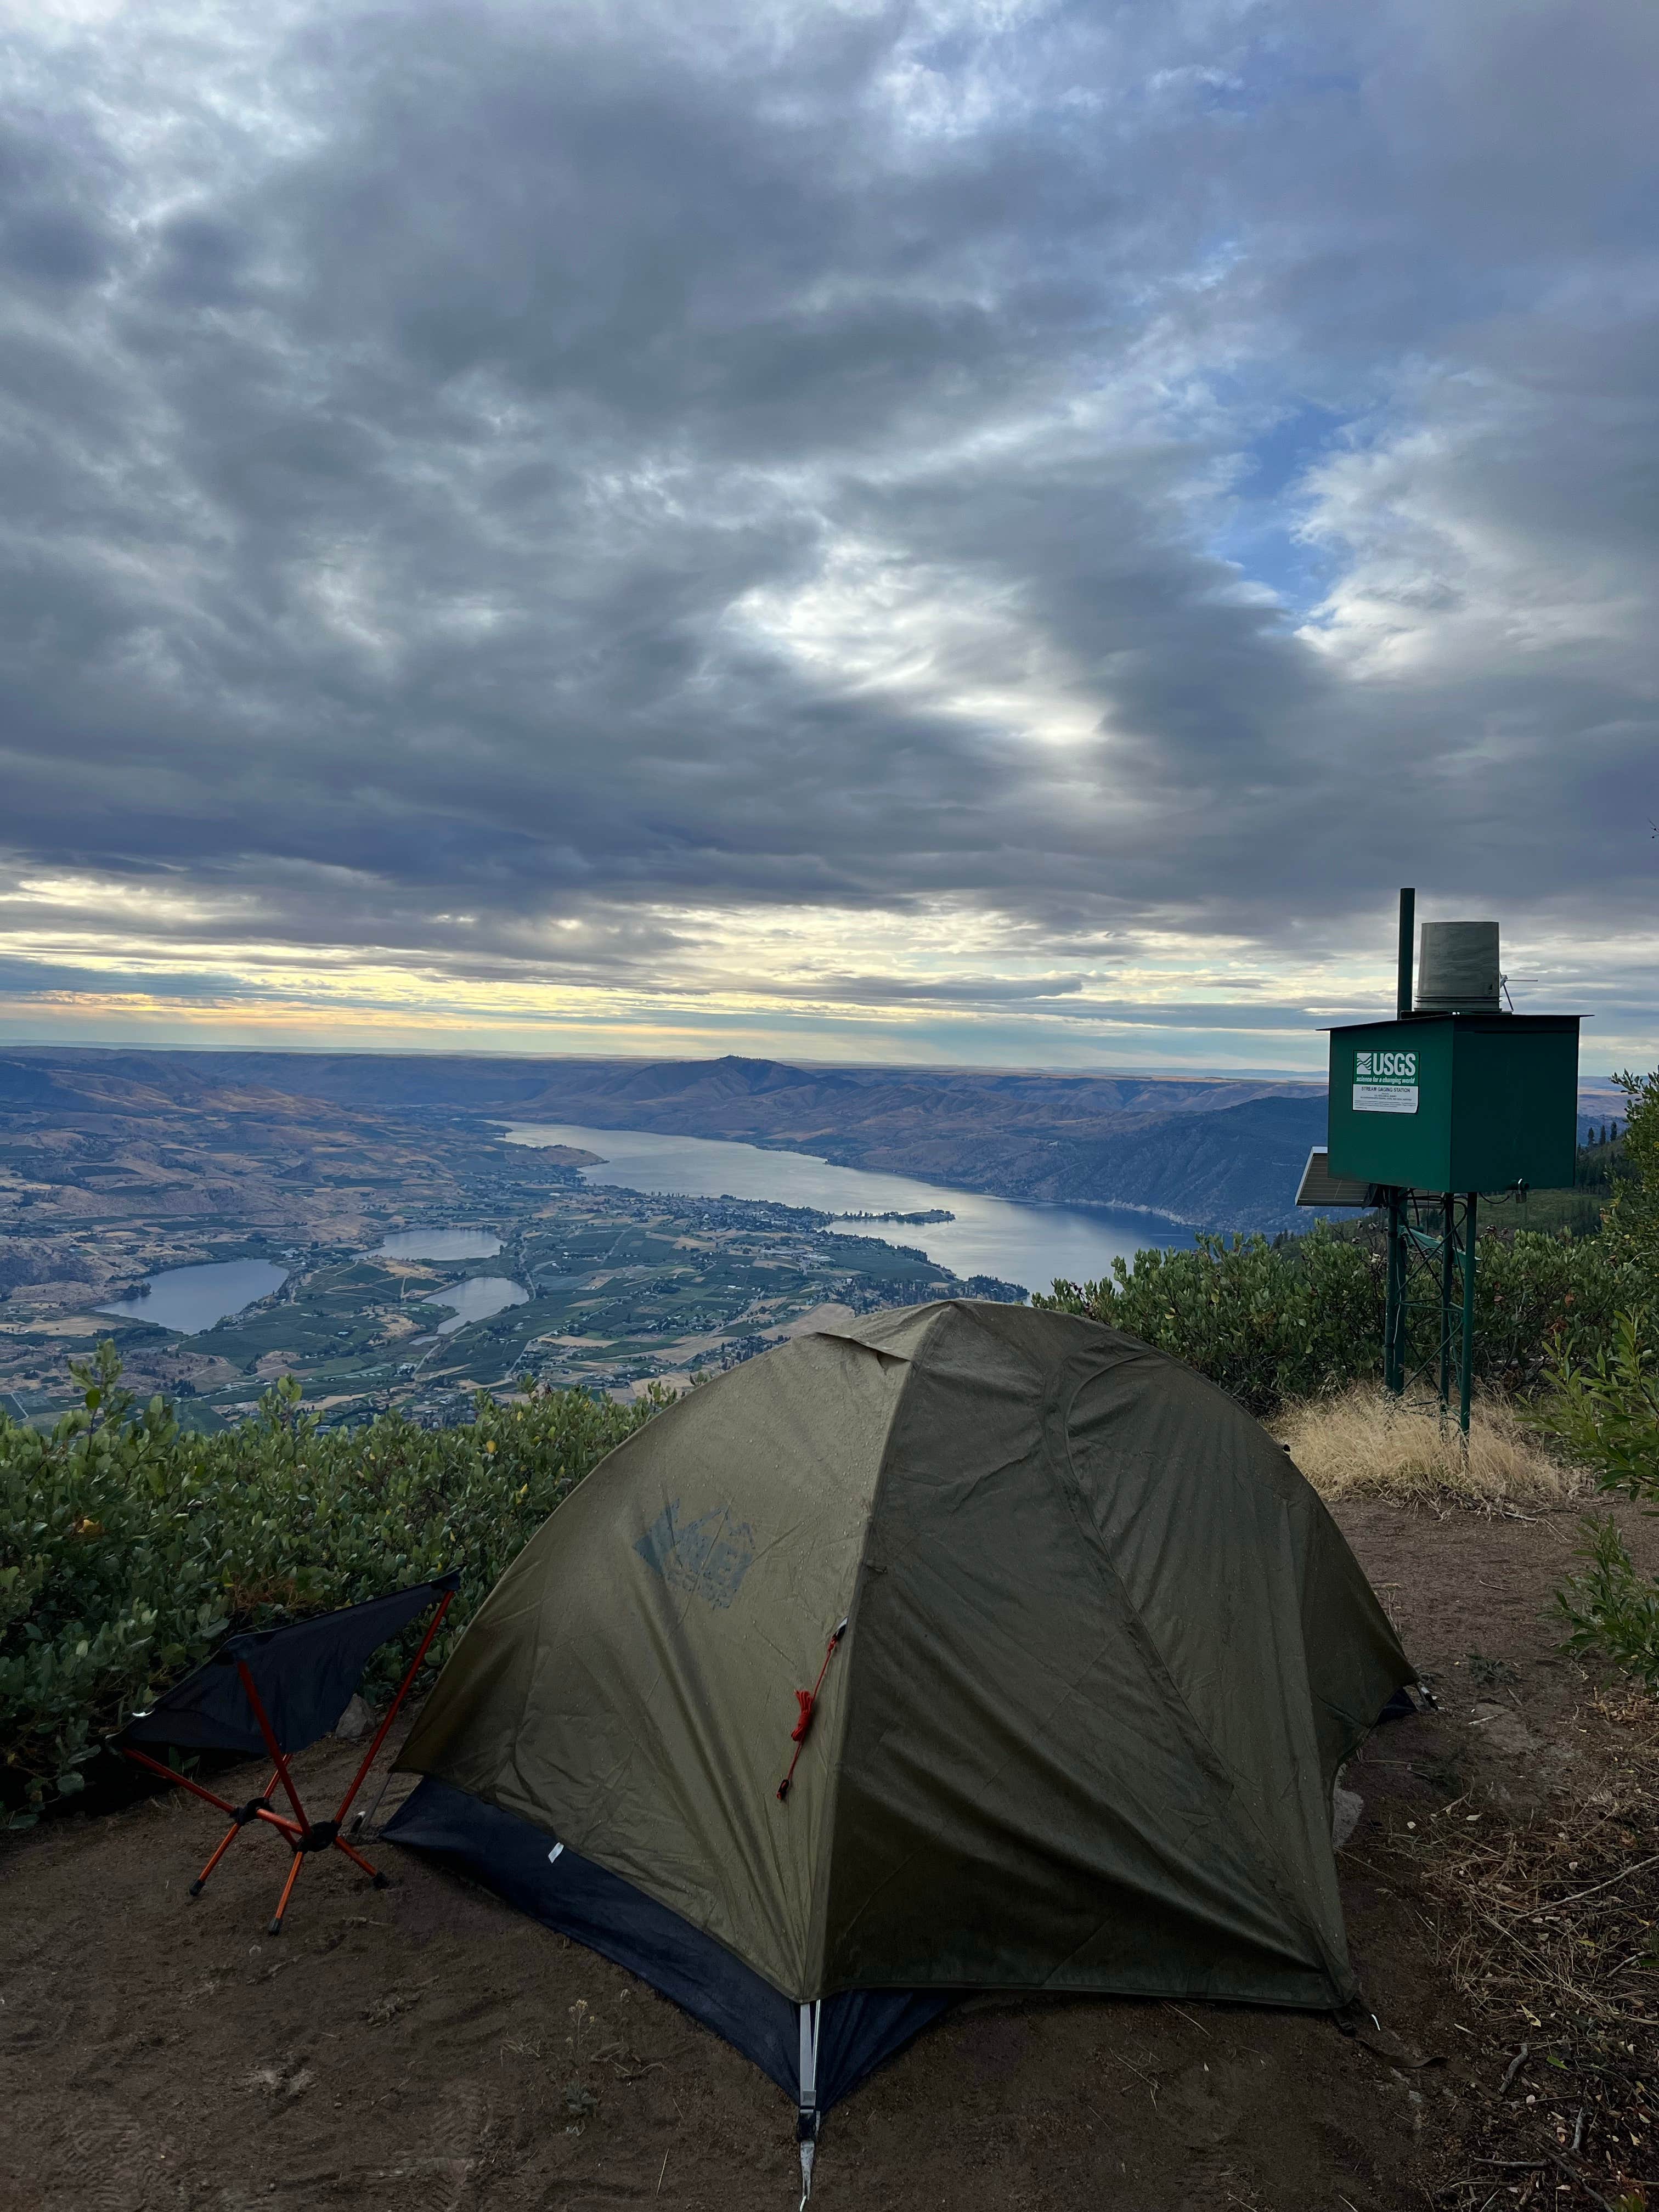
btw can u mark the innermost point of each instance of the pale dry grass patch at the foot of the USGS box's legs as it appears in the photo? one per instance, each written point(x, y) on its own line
point(1370, 1446)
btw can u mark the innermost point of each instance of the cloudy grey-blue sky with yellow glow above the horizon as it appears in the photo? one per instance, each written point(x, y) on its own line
point(950, 530)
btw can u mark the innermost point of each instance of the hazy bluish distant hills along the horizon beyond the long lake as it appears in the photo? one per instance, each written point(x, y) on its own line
point(1207, 1154)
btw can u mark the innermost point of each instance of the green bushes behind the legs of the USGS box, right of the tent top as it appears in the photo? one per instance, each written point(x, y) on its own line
point(1304, 1315)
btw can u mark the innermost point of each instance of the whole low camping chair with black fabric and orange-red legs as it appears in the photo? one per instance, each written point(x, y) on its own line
point(273, 1693)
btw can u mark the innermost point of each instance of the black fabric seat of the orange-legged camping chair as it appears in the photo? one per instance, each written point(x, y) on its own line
point(304, 1673)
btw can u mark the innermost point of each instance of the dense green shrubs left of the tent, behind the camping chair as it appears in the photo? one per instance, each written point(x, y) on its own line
point(129, 1547)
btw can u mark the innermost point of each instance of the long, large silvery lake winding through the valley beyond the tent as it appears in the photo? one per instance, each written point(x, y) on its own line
point(1023, 1244)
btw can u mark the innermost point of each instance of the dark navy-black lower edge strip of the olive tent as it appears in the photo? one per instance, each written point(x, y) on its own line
point(857, 2030)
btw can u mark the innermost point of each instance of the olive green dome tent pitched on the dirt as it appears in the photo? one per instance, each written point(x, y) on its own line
point(961, 1649)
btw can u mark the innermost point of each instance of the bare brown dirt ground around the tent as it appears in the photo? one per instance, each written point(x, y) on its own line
point(428, 2047)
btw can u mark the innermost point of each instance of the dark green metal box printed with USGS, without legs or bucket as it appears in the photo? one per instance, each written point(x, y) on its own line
point(1457, 1100)
